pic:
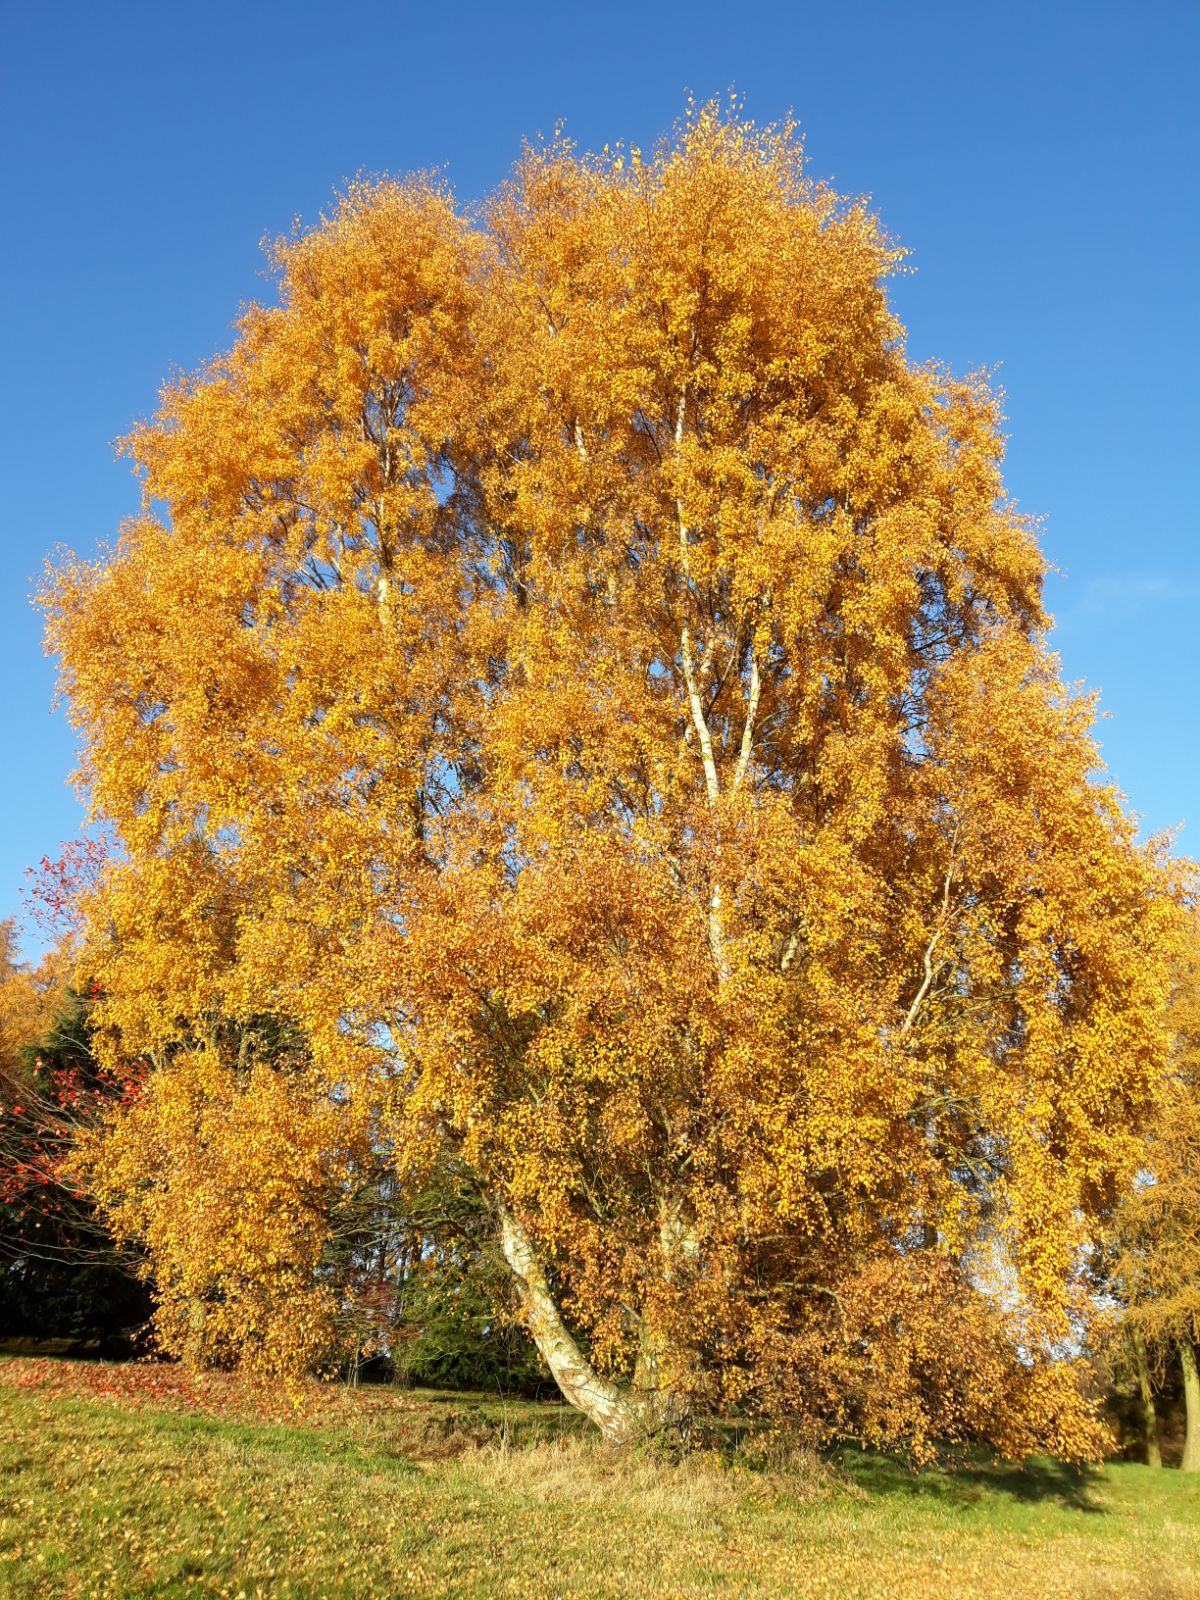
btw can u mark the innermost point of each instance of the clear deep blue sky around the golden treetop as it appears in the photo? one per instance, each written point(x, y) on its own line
point(1039, 162)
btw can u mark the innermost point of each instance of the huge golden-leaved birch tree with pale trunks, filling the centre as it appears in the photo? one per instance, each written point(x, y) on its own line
point(590, 681)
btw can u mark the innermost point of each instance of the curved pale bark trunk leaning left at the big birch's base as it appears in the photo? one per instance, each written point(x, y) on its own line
point(622, 1415)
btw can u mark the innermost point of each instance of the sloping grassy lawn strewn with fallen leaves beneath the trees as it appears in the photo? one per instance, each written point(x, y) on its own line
point(129, 1482)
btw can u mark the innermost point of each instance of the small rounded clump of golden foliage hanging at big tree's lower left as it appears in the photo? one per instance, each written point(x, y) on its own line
point(233, 1182)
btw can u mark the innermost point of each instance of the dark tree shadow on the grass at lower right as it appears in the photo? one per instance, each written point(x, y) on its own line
point(967, 1479)
